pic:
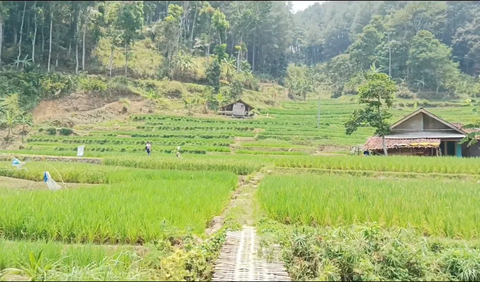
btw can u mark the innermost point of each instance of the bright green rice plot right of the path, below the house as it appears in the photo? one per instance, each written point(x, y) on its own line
point(432, 207)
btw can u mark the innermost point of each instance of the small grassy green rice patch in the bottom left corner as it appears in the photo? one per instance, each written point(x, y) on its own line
point(53, 261)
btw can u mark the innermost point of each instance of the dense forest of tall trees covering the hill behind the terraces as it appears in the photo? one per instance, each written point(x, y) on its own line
point(428, 48)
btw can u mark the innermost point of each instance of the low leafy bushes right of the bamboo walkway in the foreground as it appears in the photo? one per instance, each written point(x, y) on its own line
point(370, 253)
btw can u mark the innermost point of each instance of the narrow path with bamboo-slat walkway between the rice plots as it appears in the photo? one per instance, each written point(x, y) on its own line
point(240, 258)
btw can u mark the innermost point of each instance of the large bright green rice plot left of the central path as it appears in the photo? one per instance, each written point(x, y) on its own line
point(134, 211)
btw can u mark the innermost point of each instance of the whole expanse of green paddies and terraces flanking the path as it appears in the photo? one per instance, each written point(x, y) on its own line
point(138, 217)
